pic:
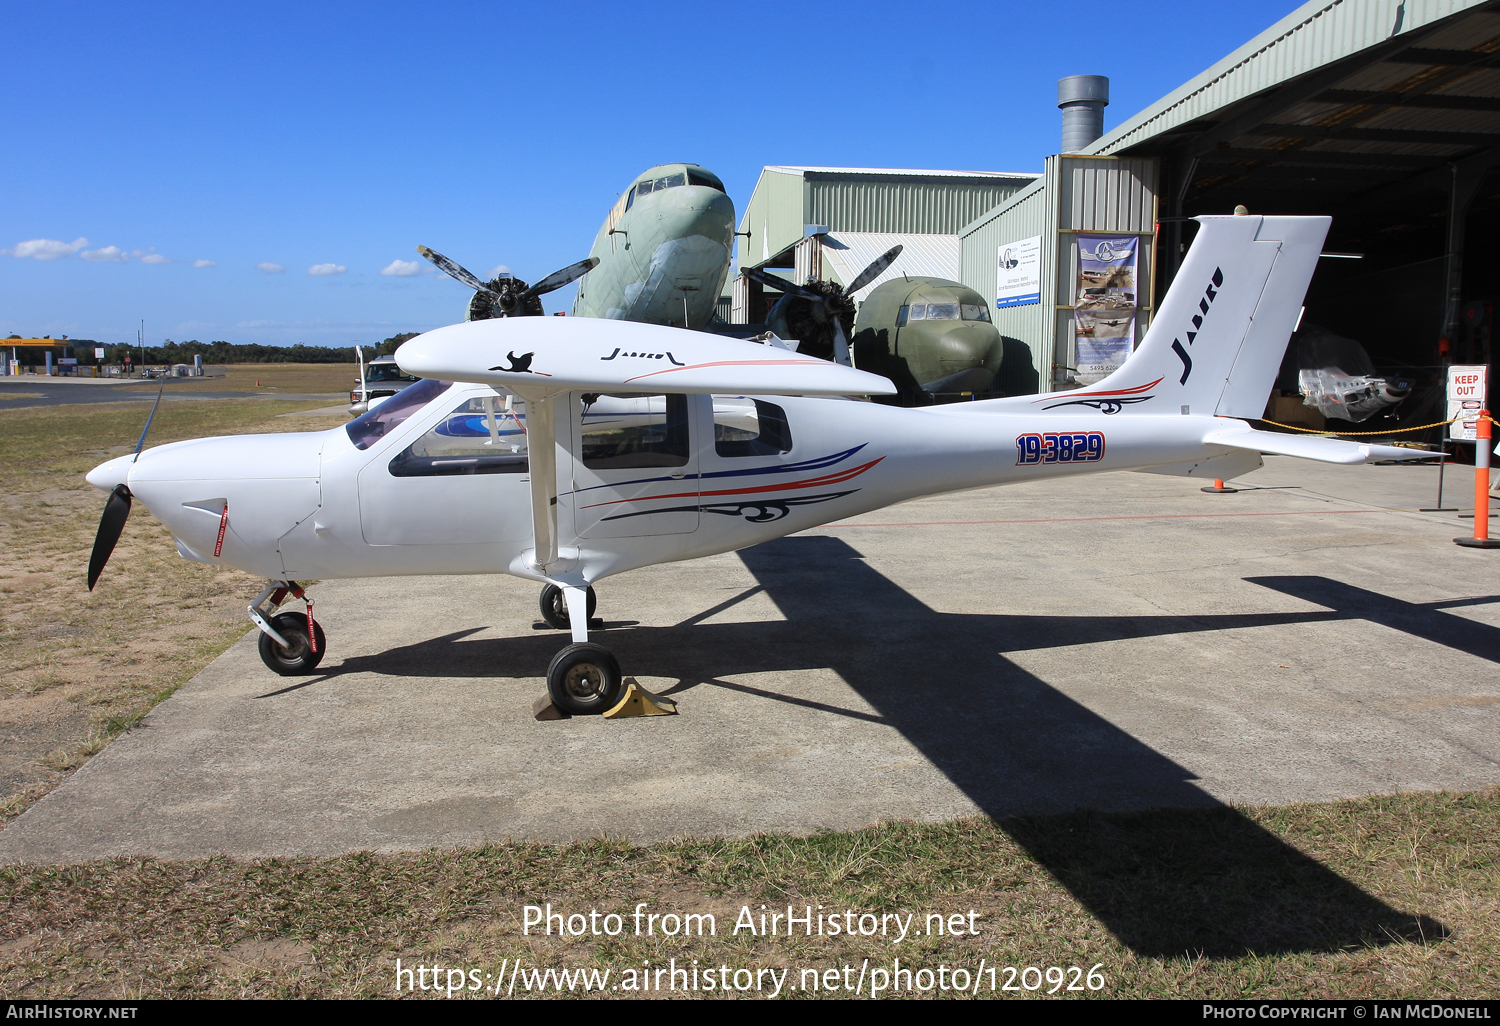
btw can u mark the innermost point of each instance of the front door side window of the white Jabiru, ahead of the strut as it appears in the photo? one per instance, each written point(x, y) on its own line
point(479, 437)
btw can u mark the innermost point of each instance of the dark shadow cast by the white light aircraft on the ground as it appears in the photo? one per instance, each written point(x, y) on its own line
point(1165, 866)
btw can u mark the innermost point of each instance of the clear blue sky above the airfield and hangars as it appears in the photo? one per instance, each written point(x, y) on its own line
point(161, 155)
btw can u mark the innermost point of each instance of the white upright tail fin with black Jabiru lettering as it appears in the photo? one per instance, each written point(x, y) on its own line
point(1220, 334)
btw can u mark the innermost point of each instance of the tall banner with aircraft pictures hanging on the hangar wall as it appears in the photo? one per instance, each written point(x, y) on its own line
point(1105, 308)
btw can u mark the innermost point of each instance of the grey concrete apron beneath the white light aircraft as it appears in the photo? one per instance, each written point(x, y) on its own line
point(1115, 643)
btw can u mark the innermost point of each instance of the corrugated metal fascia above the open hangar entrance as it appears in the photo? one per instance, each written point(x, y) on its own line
point(1312, 37)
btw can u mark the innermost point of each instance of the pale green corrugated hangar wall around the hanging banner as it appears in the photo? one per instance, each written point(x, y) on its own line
point(1078, 194)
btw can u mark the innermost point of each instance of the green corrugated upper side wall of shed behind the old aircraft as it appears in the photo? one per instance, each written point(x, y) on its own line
point(911, 208)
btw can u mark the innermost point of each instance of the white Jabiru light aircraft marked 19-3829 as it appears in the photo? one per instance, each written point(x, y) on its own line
point(566, 451)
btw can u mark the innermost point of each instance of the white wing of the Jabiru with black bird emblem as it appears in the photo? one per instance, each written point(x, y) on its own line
point(551, 355)
